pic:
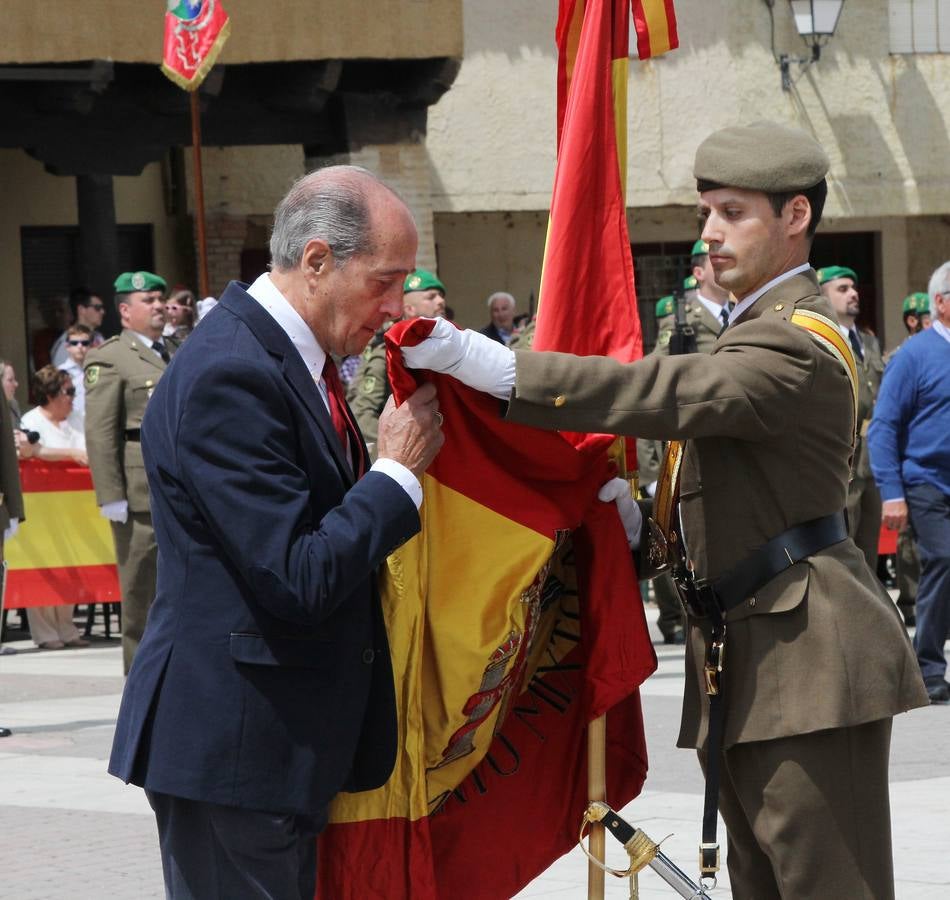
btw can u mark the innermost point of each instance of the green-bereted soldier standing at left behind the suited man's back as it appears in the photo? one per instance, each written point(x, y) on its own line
point(120, 376)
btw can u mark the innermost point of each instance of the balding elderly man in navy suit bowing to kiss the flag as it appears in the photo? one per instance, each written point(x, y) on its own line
point(263, 684)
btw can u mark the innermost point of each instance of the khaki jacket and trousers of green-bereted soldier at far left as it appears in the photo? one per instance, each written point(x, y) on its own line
point(120, 376)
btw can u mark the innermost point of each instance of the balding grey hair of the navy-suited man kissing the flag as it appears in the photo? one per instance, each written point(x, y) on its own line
point(328, 204)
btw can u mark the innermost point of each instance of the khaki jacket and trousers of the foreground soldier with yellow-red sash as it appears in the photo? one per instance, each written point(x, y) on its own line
point(817, 661)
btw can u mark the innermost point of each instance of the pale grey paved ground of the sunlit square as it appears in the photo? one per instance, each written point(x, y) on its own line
point(71, 832)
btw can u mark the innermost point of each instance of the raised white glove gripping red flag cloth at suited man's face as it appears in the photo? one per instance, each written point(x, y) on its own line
point(472, 358)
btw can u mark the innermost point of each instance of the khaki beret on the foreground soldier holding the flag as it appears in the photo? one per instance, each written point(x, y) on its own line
point(763, 156)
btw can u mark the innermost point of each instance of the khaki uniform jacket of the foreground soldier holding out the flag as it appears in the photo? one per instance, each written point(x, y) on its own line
point(768, 419)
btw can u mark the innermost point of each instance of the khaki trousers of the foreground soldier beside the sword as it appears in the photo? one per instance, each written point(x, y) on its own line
point(808, 816)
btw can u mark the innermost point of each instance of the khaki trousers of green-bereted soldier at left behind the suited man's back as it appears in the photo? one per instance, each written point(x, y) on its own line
point(137, 555)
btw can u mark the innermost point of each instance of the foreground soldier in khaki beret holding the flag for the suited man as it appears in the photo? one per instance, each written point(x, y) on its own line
point(796, 658)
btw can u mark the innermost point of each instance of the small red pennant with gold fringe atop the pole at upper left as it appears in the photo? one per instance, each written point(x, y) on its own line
point(195, 32)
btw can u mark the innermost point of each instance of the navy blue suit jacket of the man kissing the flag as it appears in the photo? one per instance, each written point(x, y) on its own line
point(263, 679)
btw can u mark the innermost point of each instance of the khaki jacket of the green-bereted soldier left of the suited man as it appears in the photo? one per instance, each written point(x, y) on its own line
point(121, 375)
